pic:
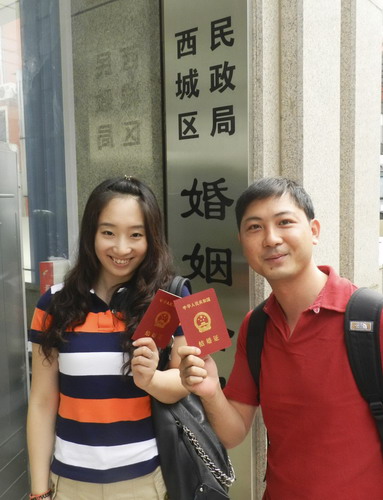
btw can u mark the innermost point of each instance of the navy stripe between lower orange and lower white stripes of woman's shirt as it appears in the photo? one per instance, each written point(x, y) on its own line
point(113, 434)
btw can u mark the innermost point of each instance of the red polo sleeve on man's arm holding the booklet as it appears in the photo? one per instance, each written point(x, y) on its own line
point(241, 386)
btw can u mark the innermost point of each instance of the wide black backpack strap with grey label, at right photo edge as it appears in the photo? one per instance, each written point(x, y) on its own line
point(362, 325)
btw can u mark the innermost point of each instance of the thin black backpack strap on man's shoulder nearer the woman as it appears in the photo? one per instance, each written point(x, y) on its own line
point(254, 343)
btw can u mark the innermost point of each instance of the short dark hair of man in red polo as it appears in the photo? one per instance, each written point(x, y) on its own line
point(274, 187)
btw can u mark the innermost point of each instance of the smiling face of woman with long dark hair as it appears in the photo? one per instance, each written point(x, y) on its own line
point(120, 241)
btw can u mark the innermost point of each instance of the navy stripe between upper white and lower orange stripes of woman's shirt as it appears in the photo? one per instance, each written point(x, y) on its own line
point(99, 387)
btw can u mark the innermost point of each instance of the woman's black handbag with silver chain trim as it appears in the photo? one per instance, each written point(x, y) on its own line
point(195, 465)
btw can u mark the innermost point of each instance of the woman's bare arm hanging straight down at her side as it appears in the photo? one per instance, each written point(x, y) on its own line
point(42, 413)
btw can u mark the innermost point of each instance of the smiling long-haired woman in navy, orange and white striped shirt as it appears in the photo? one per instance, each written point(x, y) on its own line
point(89, 402)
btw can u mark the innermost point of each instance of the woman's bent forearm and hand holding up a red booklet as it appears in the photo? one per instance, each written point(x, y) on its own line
point(164, 385)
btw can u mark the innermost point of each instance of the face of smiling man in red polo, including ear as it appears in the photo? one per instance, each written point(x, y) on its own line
point(277, 239)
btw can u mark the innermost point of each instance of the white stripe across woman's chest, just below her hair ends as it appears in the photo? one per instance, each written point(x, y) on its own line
point(91, 363)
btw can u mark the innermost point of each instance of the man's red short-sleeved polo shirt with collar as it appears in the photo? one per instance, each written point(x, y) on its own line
point(323, 441)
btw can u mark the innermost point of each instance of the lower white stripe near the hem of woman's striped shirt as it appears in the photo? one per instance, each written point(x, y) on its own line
point(104, 457)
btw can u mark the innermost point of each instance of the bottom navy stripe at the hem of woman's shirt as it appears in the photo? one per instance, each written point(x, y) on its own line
point(105, 476)
